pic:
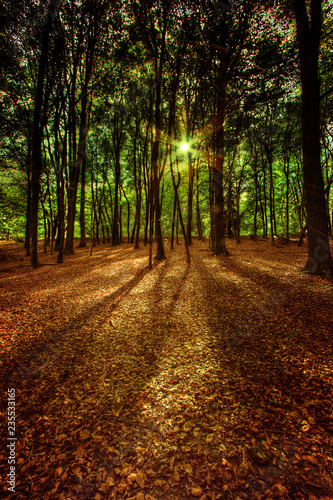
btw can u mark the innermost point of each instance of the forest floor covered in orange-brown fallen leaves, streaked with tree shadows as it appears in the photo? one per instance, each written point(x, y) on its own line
point(210, 380)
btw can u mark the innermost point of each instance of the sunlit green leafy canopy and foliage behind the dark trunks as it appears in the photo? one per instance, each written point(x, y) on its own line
point(251, 49)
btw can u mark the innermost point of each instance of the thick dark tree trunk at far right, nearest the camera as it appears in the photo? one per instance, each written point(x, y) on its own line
point(308, 35)
